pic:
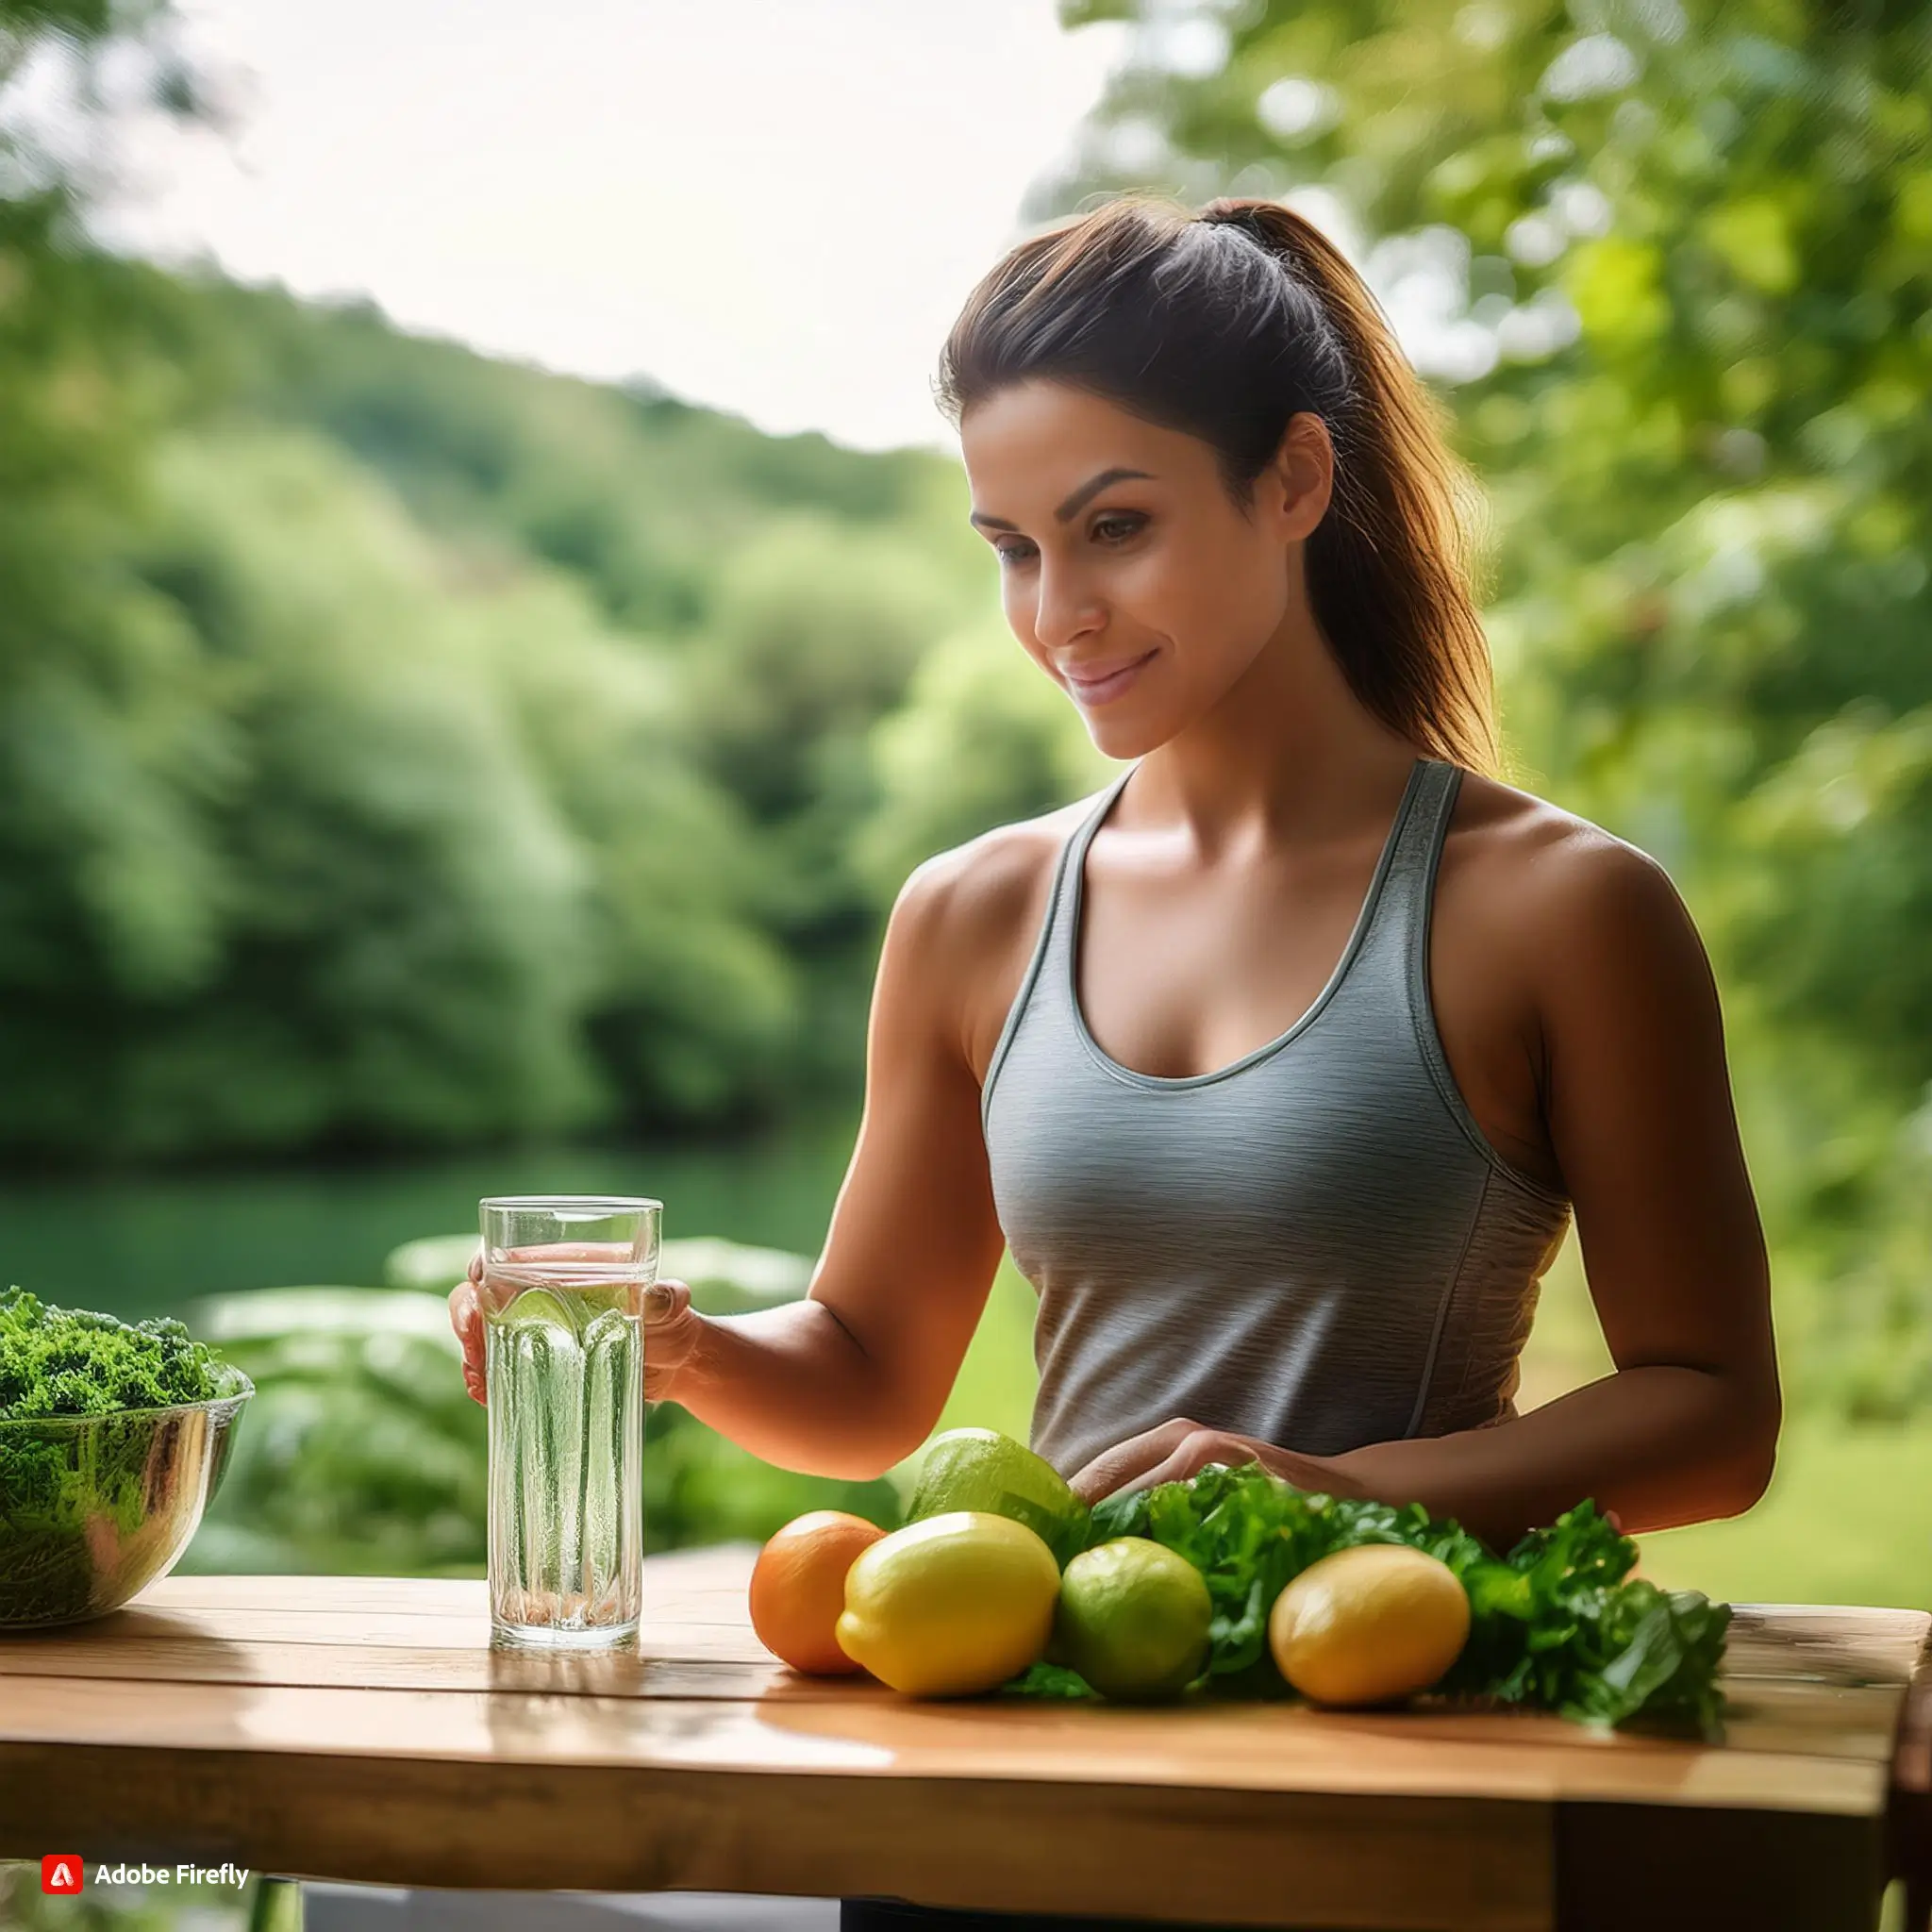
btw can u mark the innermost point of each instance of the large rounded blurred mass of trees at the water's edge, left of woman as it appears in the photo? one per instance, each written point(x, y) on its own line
point(397, 863)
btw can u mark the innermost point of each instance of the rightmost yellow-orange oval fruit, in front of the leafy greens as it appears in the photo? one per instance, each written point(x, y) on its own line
point(1369, 1626)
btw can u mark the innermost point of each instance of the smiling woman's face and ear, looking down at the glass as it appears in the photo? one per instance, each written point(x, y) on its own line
point(1125, 569)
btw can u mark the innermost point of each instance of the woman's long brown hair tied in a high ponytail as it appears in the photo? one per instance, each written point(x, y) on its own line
point(1224, 326)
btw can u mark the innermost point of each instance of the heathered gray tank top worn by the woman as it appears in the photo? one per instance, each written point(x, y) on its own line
point(1315, 1247)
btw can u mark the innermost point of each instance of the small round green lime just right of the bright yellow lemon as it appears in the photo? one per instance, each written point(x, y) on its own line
point(1133, 1620)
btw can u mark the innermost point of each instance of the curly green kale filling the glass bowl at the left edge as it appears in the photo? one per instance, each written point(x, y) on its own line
point(76, 1363)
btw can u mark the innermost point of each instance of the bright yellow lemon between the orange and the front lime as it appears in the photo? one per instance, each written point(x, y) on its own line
point(952, 1606)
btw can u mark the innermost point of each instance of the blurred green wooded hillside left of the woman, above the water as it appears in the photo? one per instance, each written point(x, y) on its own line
point(401, 747)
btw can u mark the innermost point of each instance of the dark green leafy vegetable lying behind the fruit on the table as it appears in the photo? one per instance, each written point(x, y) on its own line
point(1554, 1626)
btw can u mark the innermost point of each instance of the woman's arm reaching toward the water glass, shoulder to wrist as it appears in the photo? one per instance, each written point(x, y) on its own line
point(853, 1378)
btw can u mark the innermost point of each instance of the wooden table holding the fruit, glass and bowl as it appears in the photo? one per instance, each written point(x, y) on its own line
point(364, 1730)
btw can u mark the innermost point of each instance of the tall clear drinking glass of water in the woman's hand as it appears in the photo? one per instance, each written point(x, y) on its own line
point(563, 1321)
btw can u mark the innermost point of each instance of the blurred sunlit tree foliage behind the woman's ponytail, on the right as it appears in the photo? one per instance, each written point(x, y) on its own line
point(1676, 264)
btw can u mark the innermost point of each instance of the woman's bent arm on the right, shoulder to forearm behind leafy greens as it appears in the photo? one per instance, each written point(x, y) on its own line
point(1639, 1110)
